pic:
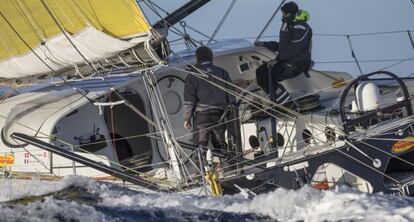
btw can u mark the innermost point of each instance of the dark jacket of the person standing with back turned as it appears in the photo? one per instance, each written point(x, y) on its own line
point(200, 93)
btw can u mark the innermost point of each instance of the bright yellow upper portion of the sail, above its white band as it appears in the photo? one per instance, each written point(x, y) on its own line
point(33, 20)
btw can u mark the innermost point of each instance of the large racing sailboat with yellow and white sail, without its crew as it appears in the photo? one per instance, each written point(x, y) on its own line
point(93, 90)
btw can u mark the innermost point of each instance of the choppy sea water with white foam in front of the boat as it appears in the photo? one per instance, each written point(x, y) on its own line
point(81, 199)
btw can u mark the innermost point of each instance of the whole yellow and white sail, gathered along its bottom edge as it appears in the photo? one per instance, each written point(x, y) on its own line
point(43, 37)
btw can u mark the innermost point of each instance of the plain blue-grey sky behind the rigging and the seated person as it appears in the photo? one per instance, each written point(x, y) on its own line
point(341, 17)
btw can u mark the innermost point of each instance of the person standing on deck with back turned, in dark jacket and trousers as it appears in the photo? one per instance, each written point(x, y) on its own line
point(205, 102)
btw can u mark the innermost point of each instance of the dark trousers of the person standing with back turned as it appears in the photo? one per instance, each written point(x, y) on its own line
point(206, 129)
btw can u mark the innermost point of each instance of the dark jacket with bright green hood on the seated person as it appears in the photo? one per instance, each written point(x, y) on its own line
point(295, 41)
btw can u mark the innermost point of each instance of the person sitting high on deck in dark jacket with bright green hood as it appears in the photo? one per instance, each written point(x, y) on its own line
point(293, 51)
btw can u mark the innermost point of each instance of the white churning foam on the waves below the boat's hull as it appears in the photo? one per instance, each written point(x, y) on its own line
point(283, 205)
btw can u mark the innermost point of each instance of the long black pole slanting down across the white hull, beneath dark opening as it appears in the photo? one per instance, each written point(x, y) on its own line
point(88, 162)
